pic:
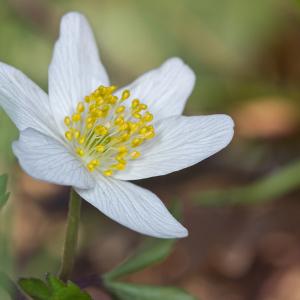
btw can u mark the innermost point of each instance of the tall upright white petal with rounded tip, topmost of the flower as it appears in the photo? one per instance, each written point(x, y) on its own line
point(75, 70)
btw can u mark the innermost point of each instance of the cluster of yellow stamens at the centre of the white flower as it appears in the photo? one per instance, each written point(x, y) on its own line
point(105, 133)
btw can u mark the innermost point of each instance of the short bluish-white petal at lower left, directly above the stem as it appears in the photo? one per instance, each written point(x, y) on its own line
point(46, 159)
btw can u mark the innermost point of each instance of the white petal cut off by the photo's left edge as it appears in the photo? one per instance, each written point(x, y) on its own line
point(25, 103)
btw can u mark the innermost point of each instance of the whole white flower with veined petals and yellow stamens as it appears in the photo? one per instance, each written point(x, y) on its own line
point(87, 135)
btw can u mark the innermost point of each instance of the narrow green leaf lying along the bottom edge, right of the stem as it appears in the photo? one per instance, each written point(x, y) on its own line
point(126, 291)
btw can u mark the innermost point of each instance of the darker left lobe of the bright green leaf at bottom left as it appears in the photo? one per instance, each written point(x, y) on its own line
point(35, 288)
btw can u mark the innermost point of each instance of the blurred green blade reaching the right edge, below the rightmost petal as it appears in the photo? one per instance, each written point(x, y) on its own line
point(269, 188)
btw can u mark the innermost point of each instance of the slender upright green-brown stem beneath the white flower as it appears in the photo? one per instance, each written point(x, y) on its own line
point(71, 238)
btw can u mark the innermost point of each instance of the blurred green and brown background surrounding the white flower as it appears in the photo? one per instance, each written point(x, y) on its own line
point(244, 241)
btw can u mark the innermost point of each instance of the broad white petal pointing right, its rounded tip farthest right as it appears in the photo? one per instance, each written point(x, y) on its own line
point(180, 142)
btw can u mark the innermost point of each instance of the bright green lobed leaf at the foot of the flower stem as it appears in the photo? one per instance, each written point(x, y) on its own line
point(52, 289)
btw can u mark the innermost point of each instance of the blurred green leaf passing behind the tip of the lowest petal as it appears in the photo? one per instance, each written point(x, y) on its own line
point(152, 251)
